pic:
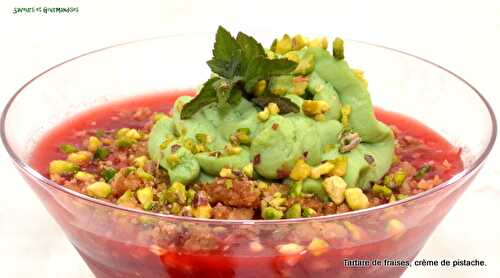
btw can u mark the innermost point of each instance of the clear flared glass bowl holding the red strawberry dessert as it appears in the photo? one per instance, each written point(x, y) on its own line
point(122, 242)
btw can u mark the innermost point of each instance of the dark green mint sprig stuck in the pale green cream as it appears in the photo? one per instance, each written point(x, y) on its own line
point(240, 63)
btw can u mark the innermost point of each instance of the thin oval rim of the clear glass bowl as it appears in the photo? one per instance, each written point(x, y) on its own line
point(32, 173)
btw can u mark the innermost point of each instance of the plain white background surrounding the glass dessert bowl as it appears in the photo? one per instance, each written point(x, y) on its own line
point(463, 36)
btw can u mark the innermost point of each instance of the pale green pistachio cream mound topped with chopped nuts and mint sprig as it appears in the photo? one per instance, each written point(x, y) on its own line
point(294, 112)
